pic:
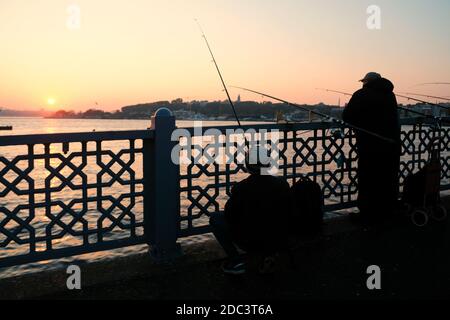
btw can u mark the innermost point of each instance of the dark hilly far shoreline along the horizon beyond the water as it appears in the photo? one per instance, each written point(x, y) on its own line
point(206, 110)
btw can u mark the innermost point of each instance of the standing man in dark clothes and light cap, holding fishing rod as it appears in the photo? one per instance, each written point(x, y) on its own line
point(374, 108)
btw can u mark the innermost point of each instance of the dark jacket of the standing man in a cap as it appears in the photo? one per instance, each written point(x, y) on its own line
point(374, 108)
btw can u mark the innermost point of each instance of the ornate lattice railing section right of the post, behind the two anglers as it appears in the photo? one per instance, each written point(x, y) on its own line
point(309, 149)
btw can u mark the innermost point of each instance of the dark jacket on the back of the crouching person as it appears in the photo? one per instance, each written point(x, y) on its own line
point(258, 211)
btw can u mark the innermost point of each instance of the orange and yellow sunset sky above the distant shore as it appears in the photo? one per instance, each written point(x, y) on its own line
point(134, 51)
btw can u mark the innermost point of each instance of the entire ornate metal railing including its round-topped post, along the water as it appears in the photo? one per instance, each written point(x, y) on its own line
point(69, 194)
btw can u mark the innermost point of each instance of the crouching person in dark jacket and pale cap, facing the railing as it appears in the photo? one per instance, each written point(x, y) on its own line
point(255, 218)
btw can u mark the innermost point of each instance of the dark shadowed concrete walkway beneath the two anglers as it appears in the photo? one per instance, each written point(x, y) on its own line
point(415, 263)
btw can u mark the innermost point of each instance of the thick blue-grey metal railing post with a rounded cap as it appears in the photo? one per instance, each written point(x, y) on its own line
point(161, 189)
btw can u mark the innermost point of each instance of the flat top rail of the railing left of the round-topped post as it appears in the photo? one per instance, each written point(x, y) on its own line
point(74, 137)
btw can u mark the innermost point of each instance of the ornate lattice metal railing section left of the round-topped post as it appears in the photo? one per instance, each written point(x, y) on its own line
point(67, 194)
